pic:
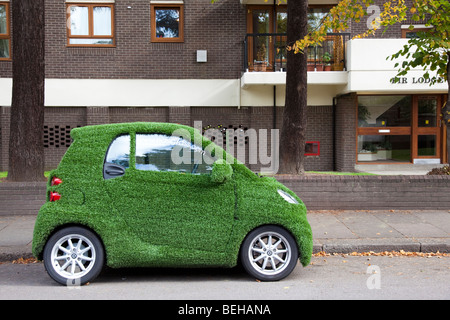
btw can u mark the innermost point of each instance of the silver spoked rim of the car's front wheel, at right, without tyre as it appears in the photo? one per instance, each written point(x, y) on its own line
point(269, 253)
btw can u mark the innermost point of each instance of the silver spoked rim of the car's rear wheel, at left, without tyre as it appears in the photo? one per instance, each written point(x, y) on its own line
point(73, 256)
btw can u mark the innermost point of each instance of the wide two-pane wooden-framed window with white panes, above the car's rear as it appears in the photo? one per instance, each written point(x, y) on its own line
point(90, 25)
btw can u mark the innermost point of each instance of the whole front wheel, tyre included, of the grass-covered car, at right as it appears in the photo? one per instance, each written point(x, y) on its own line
point(269, 253)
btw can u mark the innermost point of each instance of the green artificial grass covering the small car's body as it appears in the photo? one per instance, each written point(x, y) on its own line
point(150, 218)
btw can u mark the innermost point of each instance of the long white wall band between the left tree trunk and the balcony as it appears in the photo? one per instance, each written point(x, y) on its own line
point(141, 92)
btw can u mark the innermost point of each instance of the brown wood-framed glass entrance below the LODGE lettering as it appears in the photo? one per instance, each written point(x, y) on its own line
point(397, 128)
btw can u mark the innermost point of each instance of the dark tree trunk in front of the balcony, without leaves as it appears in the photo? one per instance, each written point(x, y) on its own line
point(293, 131)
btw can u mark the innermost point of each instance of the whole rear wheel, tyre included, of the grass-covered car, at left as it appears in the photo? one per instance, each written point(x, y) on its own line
point(73, 256)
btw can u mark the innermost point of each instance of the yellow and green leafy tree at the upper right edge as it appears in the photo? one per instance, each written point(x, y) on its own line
point(430, 50)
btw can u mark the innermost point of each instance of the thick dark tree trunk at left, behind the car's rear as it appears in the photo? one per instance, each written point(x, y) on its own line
point(26, 147)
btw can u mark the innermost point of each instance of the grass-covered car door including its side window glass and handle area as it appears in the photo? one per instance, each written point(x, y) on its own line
point(168, 202)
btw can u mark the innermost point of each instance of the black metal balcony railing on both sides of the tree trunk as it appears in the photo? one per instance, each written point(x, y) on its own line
point(266, 52)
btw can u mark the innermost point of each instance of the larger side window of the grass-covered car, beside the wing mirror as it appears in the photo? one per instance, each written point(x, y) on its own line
point(158, 152)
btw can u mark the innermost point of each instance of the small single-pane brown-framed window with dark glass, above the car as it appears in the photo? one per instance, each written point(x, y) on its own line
point(166, 22)
